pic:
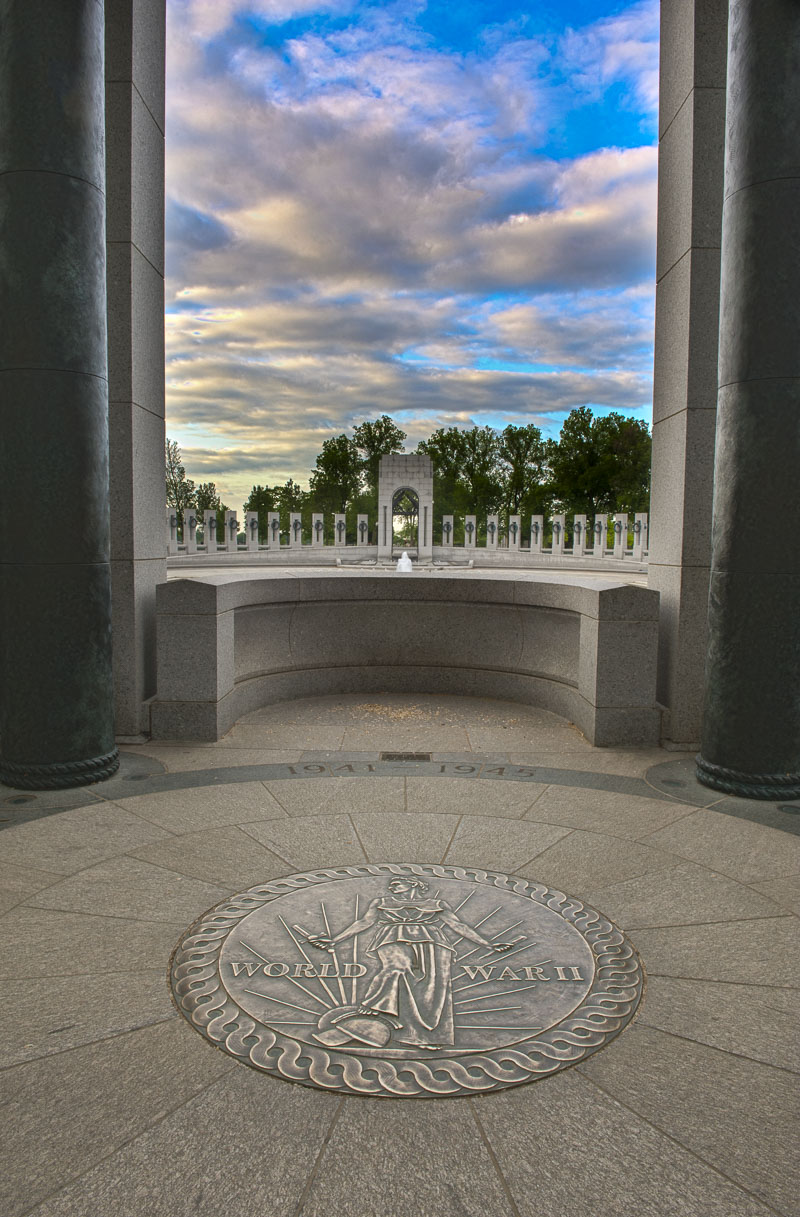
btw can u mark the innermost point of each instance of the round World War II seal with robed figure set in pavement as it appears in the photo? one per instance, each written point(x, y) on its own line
point(406, 980)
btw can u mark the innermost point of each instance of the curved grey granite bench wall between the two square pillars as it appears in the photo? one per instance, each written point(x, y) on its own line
point(585, 649)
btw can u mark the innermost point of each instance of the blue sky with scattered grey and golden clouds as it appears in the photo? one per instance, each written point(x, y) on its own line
point(439, 211)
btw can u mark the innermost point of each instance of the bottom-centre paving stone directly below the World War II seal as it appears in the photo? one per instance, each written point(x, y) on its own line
point(406, 1159)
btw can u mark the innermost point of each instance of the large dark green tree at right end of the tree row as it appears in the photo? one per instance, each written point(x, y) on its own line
point(601, 464)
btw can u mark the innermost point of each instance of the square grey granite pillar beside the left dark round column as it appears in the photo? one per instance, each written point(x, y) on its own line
point(136, 254)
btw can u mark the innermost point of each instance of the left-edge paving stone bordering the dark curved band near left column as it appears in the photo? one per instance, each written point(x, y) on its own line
point(70, 842)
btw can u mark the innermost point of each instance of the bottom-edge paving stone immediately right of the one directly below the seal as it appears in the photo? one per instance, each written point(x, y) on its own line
point(569, 1151)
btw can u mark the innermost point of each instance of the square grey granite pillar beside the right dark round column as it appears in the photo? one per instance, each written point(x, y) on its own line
point(691, 171)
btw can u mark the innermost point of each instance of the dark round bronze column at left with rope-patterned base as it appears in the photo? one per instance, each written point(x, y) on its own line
point(57, 716)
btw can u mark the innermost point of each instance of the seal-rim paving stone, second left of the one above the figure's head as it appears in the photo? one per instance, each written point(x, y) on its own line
point(228, 857)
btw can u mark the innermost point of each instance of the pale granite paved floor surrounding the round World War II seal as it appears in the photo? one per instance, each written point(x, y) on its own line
point(115, 1106)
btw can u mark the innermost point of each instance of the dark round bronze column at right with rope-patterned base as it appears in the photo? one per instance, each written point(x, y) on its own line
point(752, 724)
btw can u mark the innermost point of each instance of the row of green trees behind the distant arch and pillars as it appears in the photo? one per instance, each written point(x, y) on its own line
point(597, 464)
